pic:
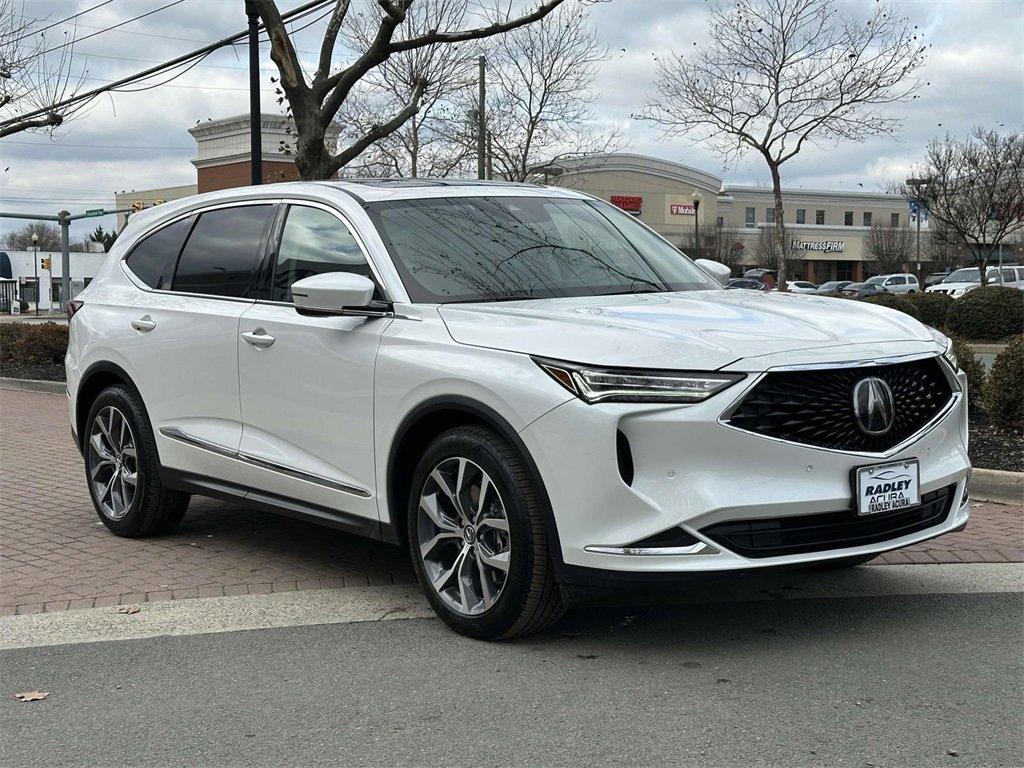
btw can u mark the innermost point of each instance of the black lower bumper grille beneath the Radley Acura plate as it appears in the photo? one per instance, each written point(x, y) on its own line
point(776, 537)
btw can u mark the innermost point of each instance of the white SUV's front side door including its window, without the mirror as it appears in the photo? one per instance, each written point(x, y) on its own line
point(308, 383)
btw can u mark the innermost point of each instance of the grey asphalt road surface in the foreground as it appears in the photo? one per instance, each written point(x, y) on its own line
point(918, 680)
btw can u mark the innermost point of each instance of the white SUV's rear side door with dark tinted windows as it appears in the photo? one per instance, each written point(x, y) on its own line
point(201, 273)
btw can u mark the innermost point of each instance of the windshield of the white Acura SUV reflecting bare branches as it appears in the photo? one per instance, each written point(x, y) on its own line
point(508, 248)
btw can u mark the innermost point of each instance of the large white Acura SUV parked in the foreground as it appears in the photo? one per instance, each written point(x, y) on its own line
point(527, 387)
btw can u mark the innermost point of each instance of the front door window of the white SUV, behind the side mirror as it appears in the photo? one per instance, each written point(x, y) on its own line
point(314, 242)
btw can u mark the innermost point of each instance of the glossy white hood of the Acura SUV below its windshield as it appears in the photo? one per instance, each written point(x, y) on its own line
point(696, 330)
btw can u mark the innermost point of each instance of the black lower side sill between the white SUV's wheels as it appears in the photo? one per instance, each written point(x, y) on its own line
point(266, 502)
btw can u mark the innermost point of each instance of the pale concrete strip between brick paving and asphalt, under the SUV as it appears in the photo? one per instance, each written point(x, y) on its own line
point(203, 616)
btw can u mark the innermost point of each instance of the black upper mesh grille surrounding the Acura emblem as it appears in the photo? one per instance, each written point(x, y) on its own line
point(816, 408)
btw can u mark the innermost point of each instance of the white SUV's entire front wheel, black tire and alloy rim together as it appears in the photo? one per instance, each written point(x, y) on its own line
point(478, 537)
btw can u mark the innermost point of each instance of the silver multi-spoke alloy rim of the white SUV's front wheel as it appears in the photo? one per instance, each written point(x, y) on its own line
point(464, 537)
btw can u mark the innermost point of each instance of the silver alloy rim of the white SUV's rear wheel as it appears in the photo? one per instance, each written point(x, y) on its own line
point(113, 463)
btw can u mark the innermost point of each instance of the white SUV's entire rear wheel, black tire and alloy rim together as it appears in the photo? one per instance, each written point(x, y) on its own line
point(122, 468)
